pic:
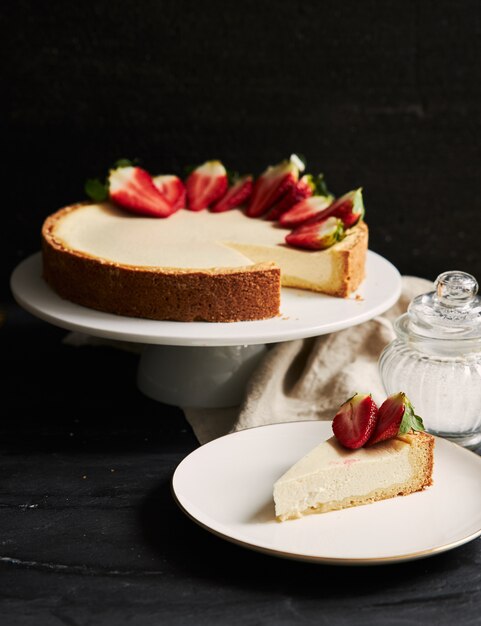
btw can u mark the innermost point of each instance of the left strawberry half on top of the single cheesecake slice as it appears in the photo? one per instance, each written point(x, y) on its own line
point(355, 421)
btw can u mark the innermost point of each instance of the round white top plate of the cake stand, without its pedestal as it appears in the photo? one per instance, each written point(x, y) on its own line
point(303, 314)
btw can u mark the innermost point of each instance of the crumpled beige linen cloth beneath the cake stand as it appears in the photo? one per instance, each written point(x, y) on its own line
point(304, 379)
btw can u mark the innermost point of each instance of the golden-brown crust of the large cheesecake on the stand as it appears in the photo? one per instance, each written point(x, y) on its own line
point(230, 294)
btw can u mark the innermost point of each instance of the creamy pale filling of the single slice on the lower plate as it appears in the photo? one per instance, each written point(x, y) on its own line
point(330, 473)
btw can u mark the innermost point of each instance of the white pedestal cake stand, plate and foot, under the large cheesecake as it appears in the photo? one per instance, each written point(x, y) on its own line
point(203, 364)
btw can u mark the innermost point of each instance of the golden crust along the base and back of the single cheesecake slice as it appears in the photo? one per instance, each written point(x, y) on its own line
point(421, 460)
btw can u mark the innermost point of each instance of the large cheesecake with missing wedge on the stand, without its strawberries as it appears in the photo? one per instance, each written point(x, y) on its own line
point(215, 267)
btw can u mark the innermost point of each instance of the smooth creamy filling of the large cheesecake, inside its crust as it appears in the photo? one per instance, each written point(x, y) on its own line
point(188, 239)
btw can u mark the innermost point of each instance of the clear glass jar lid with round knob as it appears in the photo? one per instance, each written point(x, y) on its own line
point(451, 311)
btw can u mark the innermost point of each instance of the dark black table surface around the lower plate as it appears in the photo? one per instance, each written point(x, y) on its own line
point(90, 533)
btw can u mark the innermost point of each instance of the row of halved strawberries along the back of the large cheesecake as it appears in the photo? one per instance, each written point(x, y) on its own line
point(281, 194)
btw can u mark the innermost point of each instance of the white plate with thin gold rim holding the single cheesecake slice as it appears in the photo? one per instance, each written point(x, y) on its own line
point(226, 487)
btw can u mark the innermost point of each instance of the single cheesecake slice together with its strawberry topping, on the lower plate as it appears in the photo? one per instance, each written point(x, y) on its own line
point(375, 454)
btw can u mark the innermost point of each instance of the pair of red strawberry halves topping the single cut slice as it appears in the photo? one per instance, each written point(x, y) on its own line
point(359, 422)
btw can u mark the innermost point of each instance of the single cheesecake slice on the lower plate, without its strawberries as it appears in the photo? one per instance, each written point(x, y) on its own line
point(331, 477)
